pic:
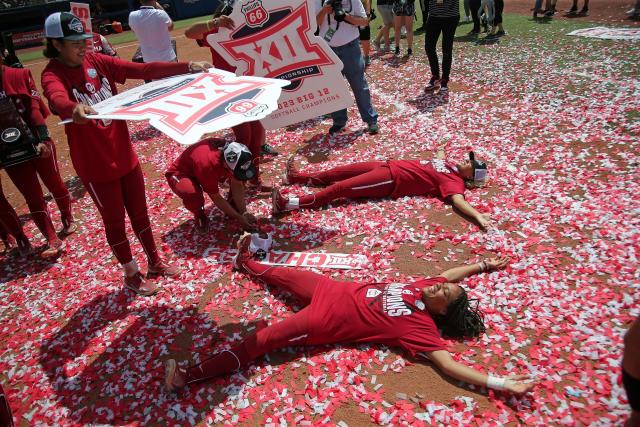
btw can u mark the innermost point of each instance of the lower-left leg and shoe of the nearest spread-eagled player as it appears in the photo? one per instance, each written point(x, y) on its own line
point(292, 331)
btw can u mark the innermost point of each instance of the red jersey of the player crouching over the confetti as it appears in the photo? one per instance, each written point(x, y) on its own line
point(202, 162)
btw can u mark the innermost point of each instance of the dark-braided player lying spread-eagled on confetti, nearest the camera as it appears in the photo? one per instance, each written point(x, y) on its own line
point(406, 315)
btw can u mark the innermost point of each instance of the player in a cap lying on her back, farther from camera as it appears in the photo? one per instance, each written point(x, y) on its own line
point(394, 178)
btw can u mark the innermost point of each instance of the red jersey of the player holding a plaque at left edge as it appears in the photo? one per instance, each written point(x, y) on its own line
point(18, 84)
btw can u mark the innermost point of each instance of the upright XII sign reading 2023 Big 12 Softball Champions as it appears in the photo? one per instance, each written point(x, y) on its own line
point(276, 39)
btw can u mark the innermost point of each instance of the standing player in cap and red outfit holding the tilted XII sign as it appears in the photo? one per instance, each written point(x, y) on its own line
point(101, 150)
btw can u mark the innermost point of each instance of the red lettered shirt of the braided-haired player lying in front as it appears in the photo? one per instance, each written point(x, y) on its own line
point(386, 313)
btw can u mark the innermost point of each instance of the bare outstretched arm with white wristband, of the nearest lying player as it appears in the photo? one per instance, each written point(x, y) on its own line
point(512, 383)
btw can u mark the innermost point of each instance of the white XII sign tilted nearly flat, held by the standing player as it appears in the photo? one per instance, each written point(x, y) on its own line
point(188, 106)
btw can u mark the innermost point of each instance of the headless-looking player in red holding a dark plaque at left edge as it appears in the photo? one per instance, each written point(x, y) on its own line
point(17, 85)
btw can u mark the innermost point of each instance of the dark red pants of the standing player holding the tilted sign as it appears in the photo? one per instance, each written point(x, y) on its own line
point(113, 198)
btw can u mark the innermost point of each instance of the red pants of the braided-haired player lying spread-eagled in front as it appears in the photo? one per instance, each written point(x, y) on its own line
point(291, 331)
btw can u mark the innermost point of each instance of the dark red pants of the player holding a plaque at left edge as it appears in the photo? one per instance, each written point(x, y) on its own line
point(25, 178)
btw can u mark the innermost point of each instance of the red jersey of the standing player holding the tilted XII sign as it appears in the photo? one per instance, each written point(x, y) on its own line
point(100, 150)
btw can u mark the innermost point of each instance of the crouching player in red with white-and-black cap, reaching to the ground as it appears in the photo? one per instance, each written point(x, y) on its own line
point(201, 168)
